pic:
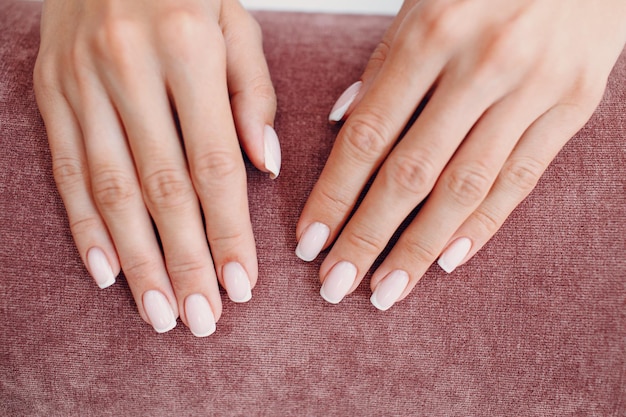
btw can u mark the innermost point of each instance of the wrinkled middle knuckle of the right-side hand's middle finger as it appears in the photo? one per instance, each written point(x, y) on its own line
point(413, 174)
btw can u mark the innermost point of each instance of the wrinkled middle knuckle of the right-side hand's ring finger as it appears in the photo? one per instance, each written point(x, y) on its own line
point(468, 184)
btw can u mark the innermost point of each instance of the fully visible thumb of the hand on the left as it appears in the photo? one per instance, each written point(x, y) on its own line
point(253, 99)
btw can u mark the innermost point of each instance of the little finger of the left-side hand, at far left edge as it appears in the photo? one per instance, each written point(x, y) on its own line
point(72, 177)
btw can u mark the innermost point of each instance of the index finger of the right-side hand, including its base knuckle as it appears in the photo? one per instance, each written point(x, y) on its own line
point(366, 138)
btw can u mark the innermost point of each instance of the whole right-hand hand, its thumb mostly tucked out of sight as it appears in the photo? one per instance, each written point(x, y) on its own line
point(509, 83)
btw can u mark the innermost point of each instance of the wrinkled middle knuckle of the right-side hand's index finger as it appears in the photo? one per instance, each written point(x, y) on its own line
point(366, 138)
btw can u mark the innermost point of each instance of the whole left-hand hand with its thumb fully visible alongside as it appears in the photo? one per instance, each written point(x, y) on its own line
point(112, 79)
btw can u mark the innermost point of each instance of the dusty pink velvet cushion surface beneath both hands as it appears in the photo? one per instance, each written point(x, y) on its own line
point(535, 325)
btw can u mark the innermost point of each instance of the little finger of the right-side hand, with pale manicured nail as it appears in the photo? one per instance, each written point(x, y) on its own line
point(519, 176)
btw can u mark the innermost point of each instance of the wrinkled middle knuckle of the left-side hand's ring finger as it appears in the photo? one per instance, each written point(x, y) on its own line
point(112, 190)
